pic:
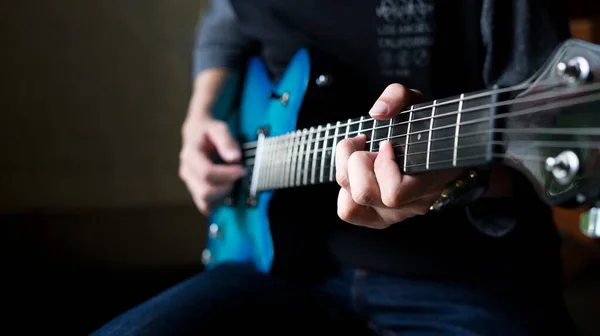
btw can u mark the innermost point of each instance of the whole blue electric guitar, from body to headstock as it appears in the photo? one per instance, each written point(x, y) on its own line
point(547, 127)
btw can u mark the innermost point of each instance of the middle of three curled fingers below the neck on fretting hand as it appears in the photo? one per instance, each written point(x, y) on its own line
point(361, 177)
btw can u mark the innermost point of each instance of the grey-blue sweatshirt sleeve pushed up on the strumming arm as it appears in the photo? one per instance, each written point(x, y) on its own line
point(219, 41)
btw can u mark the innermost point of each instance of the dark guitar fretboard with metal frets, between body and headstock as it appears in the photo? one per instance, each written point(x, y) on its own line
point(443, 134)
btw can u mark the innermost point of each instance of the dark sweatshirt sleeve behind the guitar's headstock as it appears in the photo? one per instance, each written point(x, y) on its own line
point(519, 36)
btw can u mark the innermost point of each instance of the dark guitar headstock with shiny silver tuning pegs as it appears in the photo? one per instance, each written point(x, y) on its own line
point(550, 130)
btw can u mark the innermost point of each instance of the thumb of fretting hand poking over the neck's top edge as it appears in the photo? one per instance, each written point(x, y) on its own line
point(393, 100)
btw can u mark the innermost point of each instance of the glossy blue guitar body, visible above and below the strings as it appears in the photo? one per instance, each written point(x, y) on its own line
point(239, 232)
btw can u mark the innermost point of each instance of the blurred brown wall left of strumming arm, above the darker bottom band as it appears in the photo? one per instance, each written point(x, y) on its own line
point(94, 95)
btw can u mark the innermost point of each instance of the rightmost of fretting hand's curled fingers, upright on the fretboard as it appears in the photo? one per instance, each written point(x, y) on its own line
point(388, 176)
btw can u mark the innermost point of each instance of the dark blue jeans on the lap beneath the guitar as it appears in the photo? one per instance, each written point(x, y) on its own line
point(234, 299)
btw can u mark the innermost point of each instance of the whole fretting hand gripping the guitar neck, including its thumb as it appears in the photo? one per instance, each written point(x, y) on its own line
point(374, 193)
